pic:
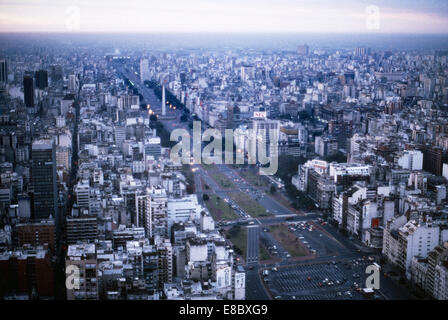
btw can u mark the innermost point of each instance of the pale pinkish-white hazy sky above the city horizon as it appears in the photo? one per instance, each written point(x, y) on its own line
point(340, 16)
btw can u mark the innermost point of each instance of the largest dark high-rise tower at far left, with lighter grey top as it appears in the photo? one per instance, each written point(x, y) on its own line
point(43, 177)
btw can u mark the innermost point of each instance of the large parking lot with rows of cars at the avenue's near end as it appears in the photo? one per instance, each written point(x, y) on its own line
point(330, 280)
